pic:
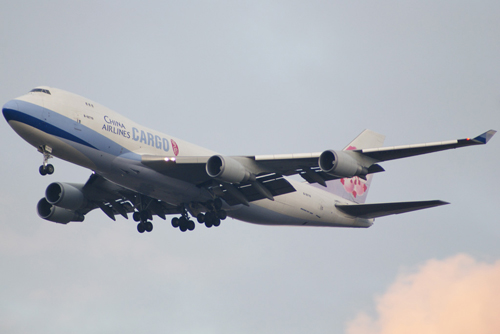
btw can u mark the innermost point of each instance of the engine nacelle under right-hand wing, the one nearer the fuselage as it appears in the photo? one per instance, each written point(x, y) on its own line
point(227, 169)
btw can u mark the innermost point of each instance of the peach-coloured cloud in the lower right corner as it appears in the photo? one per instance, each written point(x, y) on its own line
point(455, 295)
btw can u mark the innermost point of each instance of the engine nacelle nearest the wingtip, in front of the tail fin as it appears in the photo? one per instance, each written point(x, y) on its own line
point(340, 164)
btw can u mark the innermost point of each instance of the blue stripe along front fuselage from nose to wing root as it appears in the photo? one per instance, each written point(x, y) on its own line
point(63, 127)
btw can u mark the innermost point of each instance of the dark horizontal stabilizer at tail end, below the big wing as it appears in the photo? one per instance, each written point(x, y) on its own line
point(386, 209)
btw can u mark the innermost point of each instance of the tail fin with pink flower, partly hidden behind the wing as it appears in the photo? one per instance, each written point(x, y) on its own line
point(356, 189)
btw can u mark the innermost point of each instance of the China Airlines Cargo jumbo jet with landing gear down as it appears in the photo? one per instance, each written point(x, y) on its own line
point(146, 173)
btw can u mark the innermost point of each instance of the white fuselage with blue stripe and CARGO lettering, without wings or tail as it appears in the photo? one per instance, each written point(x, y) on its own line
point(85, 133)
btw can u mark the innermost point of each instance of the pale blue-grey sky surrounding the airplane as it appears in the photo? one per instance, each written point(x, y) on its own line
point(252, 78)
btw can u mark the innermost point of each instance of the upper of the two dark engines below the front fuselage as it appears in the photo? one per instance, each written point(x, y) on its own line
point(65, 195)
